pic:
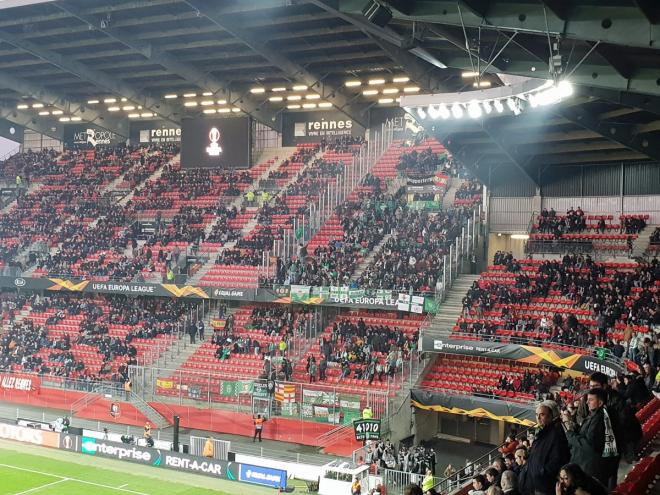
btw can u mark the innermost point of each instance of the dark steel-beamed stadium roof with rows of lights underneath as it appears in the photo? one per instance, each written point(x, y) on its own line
point(264, 57)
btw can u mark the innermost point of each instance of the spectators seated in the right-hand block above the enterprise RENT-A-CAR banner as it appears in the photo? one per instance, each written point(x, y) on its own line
point(608, 297)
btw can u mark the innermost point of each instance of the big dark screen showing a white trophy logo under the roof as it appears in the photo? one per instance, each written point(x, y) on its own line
point(215, 143)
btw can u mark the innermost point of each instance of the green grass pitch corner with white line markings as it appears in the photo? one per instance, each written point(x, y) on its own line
point(26, 474)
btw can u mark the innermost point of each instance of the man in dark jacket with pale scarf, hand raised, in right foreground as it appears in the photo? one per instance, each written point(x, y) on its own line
point(593, 445)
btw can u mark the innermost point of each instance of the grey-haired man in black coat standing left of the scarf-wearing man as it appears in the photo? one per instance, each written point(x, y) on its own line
point(548, 453)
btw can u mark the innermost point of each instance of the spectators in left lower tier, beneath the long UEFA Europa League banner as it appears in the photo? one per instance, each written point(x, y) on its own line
point(22, 345)
